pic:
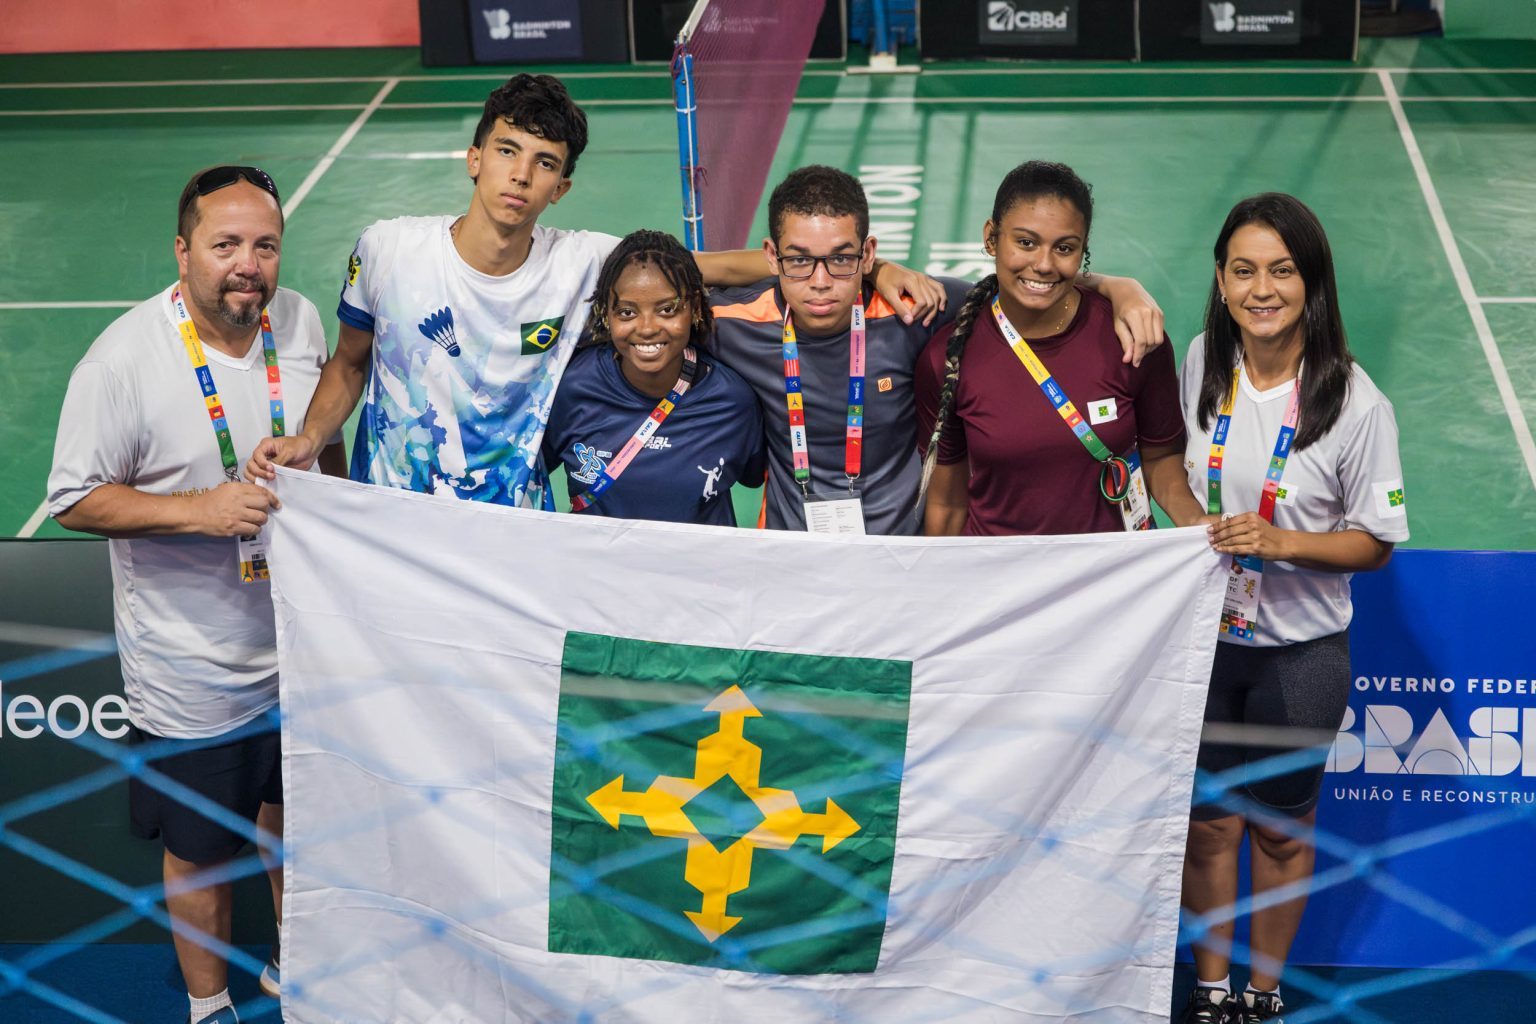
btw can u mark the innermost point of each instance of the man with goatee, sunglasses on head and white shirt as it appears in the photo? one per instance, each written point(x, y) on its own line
point(159, 418)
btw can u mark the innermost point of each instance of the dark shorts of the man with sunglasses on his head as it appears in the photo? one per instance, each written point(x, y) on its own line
point(239, 776)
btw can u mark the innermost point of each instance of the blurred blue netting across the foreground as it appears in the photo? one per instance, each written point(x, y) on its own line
point(1345, 865)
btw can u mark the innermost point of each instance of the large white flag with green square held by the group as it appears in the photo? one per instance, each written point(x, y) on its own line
point(546, 768)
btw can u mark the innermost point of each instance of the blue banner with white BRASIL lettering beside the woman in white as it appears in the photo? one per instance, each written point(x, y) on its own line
point(1434, 771)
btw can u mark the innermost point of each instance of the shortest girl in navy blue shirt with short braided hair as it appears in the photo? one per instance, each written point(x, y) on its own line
point(647, 403)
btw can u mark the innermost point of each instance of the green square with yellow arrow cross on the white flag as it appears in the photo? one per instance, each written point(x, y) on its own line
point(726, 808)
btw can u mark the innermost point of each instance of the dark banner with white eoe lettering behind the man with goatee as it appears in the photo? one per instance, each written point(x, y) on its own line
point(62, 713)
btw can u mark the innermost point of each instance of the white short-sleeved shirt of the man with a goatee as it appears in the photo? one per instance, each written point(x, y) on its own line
point(199, 647)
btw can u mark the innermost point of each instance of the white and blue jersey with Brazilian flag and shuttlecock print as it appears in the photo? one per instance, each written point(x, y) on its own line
point(465, 365)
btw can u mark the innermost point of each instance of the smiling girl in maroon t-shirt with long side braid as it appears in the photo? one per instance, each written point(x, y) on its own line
point(1030, 420)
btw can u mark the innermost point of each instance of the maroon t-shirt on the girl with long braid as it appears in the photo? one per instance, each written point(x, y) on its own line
point(1030, 474)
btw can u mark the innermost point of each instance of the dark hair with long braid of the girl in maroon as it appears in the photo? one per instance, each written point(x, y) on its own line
point(1030, 180)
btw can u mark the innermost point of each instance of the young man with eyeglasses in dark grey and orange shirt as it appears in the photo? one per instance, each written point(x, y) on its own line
point(832, 362)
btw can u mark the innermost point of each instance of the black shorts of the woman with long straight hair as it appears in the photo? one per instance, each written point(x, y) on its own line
point(1300, 685)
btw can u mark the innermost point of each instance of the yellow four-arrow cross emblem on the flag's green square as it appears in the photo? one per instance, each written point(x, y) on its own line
point(718, 874)
